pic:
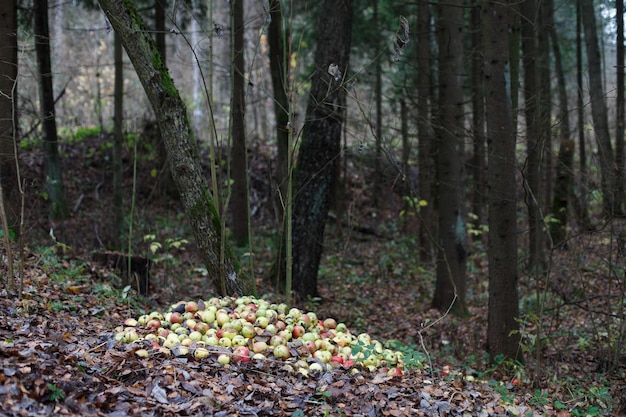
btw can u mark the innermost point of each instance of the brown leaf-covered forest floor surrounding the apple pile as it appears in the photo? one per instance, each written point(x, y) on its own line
point(58, 354)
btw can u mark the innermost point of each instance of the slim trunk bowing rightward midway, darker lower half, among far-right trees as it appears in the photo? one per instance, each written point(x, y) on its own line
point(565, 162)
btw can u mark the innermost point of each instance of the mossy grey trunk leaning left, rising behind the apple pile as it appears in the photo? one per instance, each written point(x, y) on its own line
point(182, 149)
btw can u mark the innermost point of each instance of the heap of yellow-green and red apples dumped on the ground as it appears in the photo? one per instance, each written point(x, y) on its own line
point(246, 328)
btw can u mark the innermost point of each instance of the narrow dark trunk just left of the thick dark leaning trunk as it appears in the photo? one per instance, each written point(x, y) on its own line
point(279, 42)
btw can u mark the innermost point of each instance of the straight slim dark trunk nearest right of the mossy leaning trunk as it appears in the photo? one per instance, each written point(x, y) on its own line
point(239, 165)
